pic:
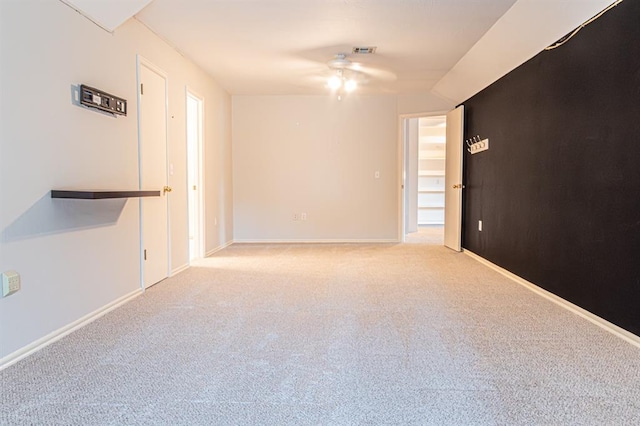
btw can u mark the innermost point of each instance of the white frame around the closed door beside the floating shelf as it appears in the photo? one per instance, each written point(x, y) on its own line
point(140, 62)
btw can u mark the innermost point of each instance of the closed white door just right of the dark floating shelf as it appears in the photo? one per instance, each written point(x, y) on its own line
point(154, 224)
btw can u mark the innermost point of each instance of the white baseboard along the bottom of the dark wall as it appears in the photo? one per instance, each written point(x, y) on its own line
point(589, 316)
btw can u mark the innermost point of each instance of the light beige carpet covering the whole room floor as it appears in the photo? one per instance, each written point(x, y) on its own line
point(330, 334)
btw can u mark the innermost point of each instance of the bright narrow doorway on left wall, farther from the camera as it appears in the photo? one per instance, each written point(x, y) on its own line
point(195, 110)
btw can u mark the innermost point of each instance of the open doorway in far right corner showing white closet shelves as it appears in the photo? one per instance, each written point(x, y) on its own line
point(424, 139)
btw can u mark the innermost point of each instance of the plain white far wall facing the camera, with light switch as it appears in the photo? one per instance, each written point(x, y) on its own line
point(317, 155)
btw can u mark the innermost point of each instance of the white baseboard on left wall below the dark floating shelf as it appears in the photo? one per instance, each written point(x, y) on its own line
point(56, 335)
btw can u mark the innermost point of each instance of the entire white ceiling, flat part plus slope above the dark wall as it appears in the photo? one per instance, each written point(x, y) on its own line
point(450, 48)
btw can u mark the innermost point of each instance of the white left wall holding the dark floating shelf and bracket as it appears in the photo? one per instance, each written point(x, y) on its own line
point(75, 257)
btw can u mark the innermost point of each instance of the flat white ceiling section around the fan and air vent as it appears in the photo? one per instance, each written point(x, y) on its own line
point(282, 46)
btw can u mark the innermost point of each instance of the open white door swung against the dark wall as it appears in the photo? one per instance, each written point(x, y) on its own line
point(453, 180)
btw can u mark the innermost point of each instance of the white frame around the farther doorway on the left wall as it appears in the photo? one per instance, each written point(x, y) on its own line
point(199, 214)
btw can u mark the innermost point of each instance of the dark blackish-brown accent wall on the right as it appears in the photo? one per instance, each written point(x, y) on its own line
point(558, 191)
